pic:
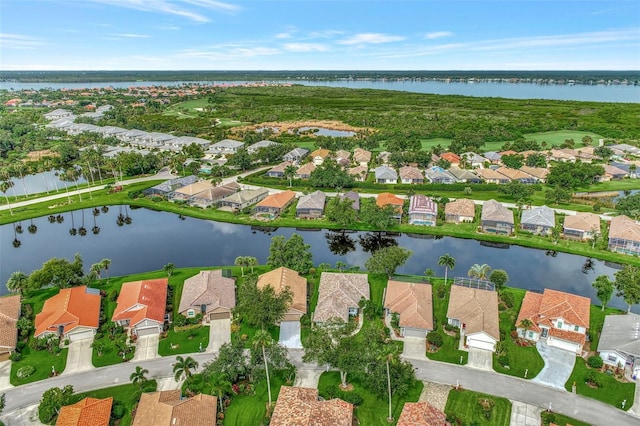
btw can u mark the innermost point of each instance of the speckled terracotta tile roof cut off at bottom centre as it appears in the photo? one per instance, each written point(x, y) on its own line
point(300, 407)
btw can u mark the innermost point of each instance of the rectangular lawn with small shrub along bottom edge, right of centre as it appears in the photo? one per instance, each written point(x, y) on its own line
point(464, 405)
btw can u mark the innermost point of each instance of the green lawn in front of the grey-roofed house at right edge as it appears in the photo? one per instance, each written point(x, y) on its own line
point(611, 392)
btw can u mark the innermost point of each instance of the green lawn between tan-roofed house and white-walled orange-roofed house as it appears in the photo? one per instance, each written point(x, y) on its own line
point(521, 358)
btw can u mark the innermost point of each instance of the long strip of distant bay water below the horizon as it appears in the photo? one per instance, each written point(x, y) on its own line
point(622, 93)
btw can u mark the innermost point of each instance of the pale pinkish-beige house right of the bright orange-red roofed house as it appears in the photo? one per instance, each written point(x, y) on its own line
point(209, 293)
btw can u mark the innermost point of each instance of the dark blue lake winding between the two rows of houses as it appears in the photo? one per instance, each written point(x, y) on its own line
point(156, 238)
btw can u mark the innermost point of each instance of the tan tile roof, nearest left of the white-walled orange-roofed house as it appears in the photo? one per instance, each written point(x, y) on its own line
point(476, 309)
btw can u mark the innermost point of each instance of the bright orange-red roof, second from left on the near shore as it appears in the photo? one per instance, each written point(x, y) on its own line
point(139, 300)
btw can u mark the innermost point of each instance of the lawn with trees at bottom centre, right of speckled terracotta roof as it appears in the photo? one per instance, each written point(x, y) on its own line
point(373, 411)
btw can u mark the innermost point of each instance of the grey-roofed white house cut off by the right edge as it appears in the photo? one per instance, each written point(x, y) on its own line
point(619, 344)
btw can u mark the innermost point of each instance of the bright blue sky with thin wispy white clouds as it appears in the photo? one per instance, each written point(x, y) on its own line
point(319, 35)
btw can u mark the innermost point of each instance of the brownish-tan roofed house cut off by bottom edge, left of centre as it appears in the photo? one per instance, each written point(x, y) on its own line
point(169, 408)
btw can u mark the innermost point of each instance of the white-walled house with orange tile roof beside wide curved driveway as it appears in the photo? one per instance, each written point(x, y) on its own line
point(560, 318)
